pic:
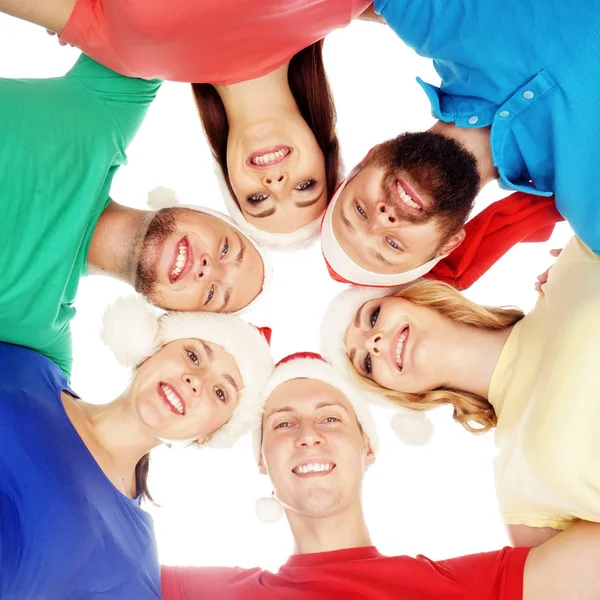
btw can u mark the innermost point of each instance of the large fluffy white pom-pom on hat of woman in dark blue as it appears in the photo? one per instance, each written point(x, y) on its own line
point(129, 329)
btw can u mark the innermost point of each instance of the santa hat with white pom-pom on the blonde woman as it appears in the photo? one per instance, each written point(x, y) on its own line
point(411, 426)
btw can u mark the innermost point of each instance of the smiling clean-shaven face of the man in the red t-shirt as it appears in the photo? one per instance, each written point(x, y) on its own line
point(313, 448)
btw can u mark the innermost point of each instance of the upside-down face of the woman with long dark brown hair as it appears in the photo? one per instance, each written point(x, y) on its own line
point(277, 173)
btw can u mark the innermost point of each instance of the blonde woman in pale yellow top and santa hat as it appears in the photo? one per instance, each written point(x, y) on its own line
point(533, 378)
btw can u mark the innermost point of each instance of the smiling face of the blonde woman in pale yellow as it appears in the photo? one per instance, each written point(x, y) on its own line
point(400, 345)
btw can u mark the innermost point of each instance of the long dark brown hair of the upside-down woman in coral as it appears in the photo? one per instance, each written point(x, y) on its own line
point(310, 88)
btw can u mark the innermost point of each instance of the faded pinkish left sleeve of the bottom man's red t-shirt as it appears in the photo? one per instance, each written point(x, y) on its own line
point(194, 583)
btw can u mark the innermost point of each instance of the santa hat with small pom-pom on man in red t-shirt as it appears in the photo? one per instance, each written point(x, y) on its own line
point(309, 365)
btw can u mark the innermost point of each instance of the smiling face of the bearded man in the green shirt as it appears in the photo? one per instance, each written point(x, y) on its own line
point(193, 261)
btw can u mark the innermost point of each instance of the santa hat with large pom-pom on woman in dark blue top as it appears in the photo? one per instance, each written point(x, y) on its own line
point(135, 330)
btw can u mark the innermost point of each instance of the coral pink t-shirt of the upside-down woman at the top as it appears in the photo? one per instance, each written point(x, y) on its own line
point(202, 41)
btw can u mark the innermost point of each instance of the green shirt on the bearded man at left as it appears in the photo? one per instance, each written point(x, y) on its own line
point(61, 143)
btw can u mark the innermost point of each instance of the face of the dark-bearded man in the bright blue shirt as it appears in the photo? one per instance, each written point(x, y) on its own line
point(407, 204)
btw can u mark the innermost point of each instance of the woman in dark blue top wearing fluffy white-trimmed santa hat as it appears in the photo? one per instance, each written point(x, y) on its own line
point(72, 474)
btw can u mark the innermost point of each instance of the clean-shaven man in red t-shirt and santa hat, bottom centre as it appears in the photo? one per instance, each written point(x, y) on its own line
point(315, 441)
